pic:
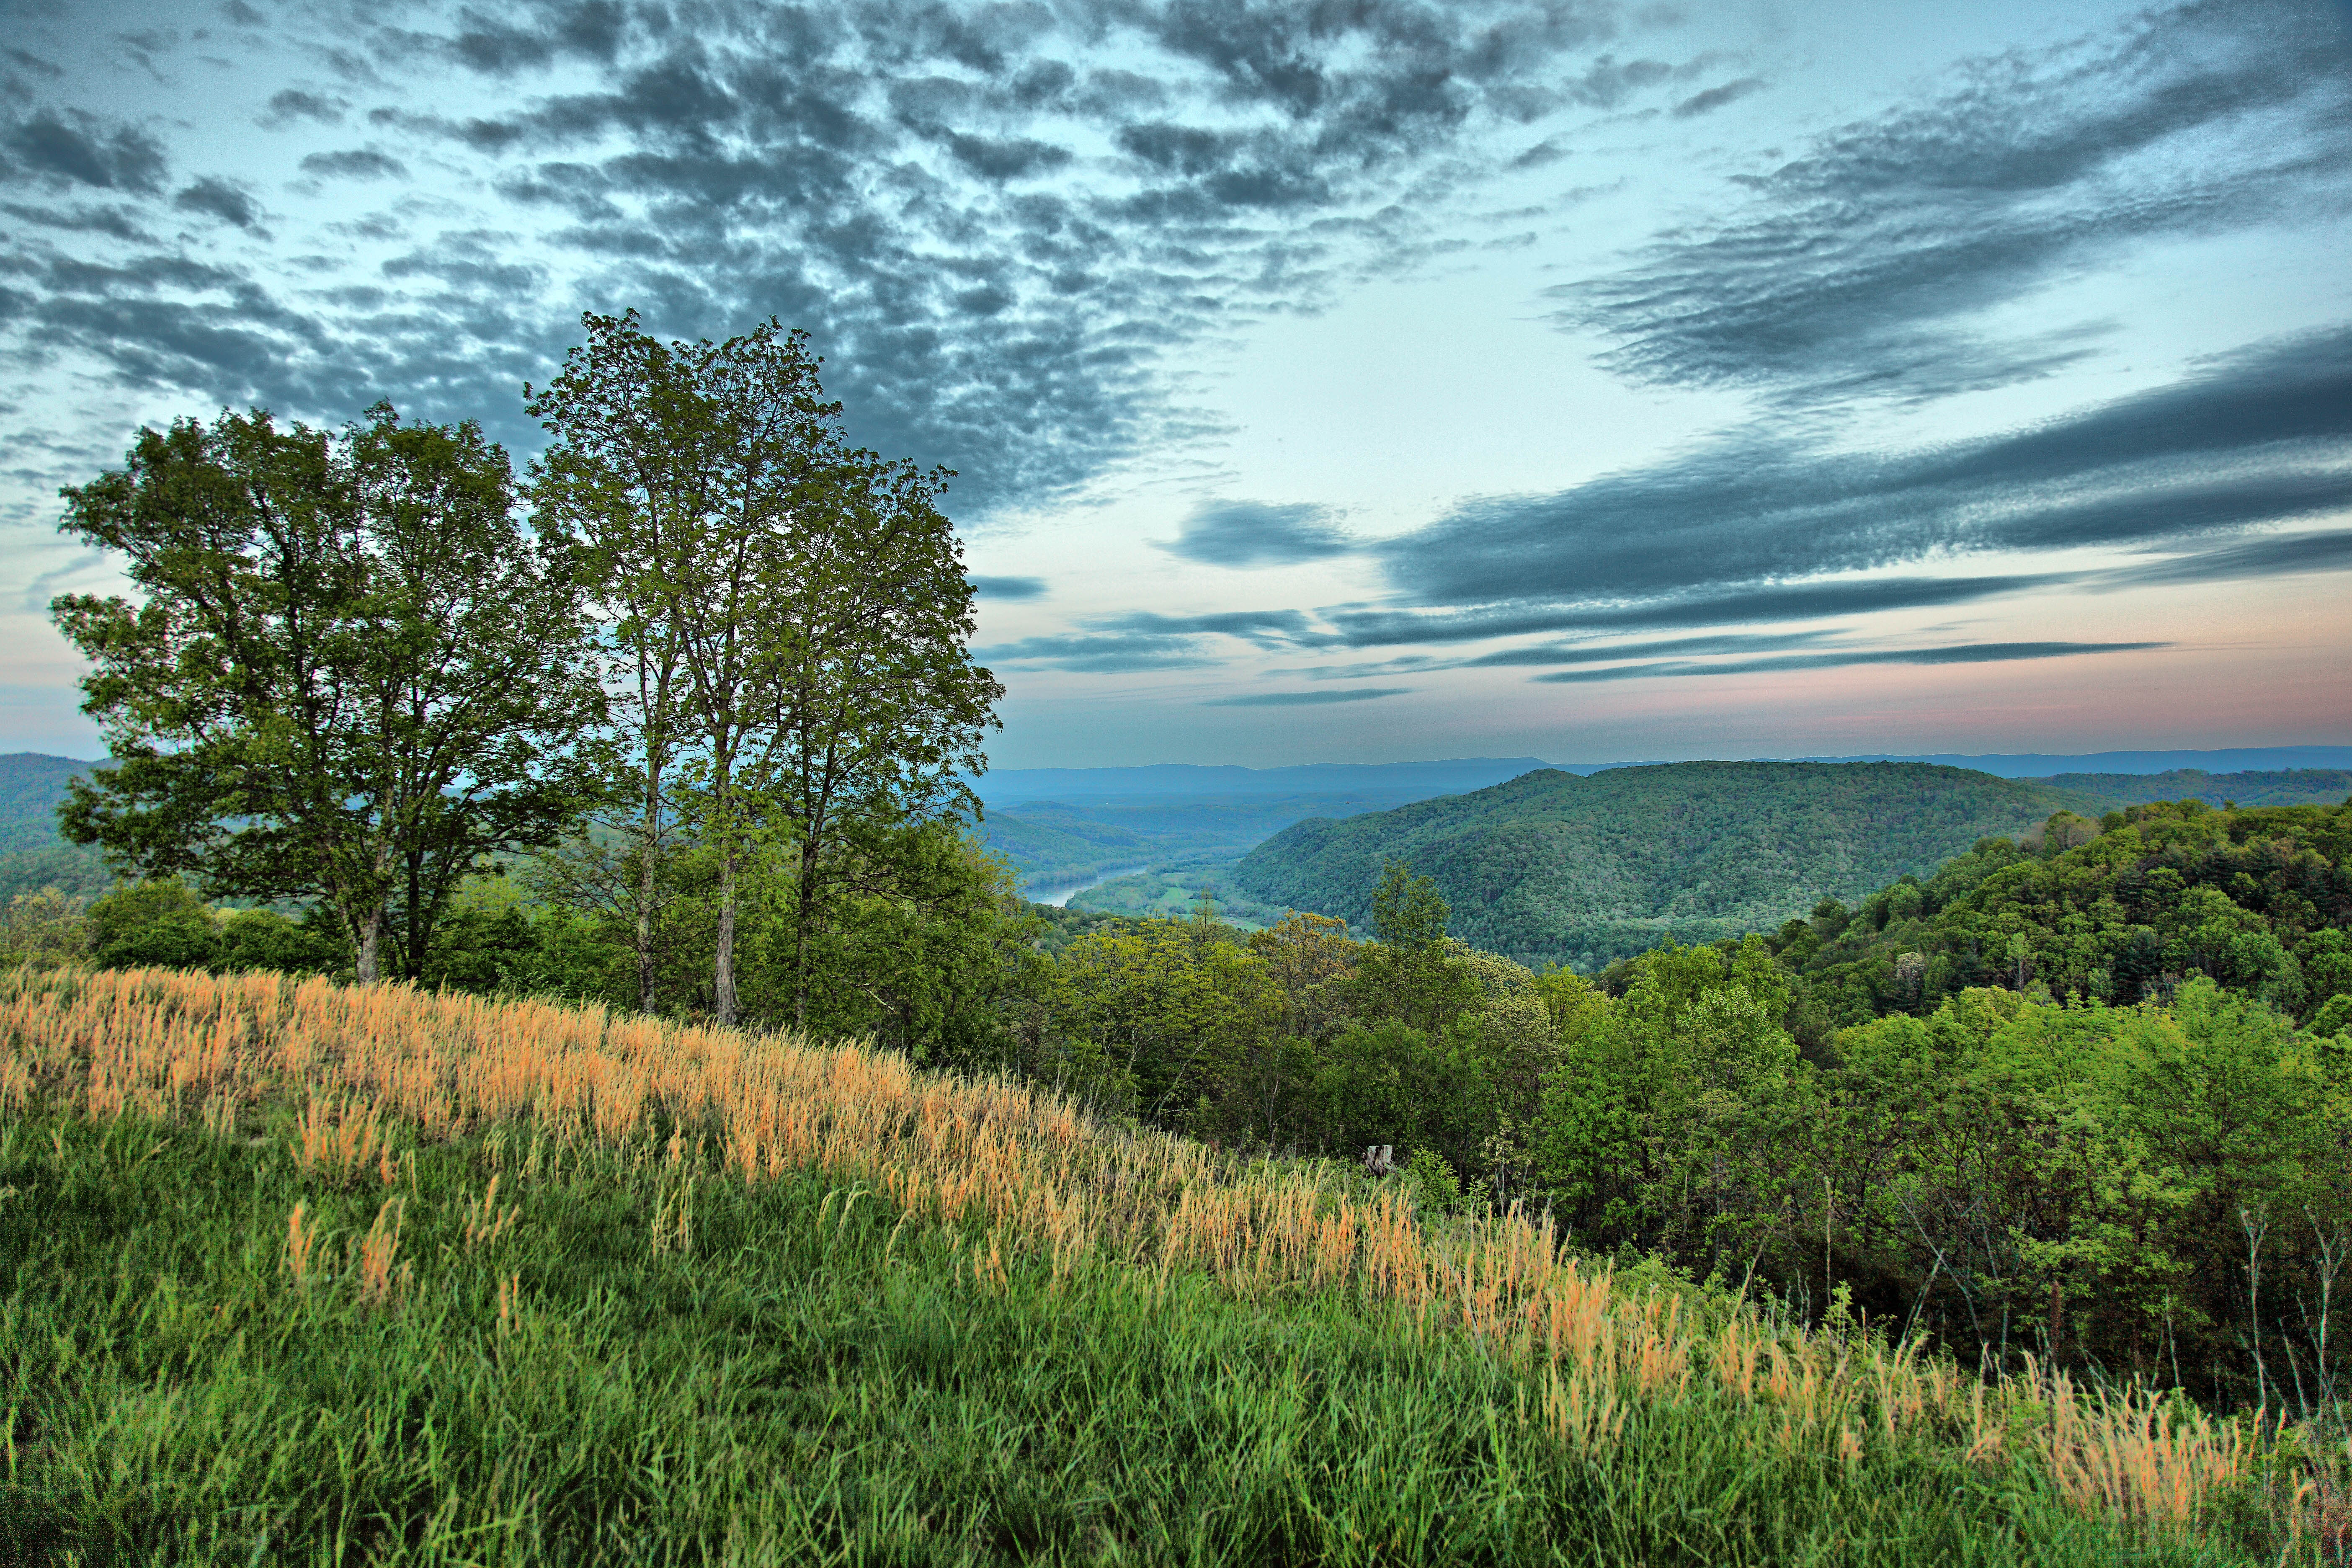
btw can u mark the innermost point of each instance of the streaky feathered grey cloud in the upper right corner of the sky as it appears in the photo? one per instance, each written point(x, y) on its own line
point(1859, 264)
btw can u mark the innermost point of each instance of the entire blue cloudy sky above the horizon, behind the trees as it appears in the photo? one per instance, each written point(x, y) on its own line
point(1325, 380)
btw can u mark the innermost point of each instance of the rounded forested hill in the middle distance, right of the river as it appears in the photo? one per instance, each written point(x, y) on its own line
point(1584, 871)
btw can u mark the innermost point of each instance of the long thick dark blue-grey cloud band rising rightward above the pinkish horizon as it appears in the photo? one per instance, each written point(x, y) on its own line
point(2254, 438)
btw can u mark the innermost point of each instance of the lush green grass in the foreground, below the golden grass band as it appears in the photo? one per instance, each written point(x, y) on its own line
point(817, 1383)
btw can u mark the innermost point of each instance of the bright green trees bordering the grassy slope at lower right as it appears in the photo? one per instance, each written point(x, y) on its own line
point(2153, 1191)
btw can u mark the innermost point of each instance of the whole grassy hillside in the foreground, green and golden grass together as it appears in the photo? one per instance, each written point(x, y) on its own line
point(293, 1273)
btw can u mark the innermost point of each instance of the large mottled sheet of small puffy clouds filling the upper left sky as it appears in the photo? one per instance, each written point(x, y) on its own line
point(998, 222)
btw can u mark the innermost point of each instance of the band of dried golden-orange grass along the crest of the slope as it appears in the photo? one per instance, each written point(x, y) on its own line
point(1029, 1174)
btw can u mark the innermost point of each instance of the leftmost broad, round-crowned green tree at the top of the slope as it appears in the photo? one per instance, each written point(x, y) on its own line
point(352, 674)
